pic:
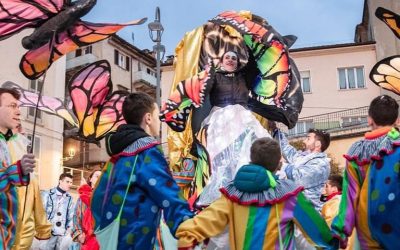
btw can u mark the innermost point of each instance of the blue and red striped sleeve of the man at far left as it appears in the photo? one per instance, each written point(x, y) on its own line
point(12, 175)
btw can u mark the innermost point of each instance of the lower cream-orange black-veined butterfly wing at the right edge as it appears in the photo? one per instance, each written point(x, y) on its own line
point(386, 74)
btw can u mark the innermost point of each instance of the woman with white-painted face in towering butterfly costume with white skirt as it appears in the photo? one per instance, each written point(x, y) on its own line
point(246, 67)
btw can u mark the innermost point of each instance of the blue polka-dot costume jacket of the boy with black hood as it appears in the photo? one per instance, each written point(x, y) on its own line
point(152, 192)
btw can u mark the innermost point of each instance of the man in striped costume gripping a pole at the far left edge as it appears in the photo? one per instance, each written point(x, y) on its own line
point(11, 174)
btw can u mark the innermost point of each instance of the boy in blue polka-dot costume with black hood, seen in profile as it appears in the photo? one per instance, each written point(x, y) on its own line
point(136, 180)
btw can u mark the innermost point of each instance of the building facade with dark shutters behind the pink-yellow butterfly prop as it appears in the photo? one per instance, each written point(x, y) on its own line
point(132, 70)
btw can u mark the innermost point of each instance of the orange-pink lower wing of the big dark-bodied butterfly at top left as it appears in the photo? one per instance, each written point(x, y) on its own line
point(35, 62)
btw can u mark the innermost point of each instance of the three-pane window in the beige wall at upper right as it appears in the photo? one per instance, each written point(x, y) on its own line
point(351, 78)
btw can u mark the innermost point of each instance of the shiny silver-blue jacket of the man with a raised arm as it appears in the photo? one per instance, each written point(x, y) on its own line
point(310, 170)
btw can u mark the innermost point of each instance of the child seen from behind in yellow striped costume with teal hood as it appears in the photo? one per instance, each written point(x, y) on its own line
point(261, 211)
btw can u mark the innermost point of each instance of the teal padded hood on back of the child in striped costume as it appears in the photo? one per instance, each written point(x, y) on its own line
point(253, 179)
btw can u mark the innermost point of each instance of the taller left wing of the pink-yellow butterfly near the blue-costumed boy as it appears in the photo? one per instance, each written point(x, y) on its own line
point(88, 89)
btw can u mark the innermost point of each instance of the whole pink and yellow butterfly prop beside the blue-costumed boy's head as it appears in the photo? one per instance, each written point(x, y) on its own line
point(98, 111)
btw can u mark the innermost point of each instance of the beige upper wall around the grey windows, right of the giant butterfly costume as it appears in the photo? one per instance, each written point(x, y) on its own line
point(323, 66)
